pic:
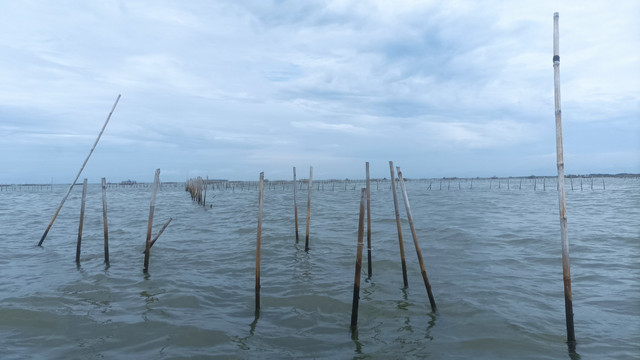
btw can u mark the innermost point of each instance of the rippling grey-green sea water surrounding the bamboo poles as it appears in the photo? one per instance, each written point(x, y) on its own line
point(492, 252)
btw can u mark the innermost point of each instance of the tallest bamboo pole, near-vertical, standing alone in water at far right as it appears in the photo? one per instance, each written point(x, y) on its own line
point(566, 272)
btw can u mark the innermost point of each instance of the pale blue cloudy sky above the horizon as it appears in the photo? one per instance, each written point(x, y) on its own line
point(229, 88)
